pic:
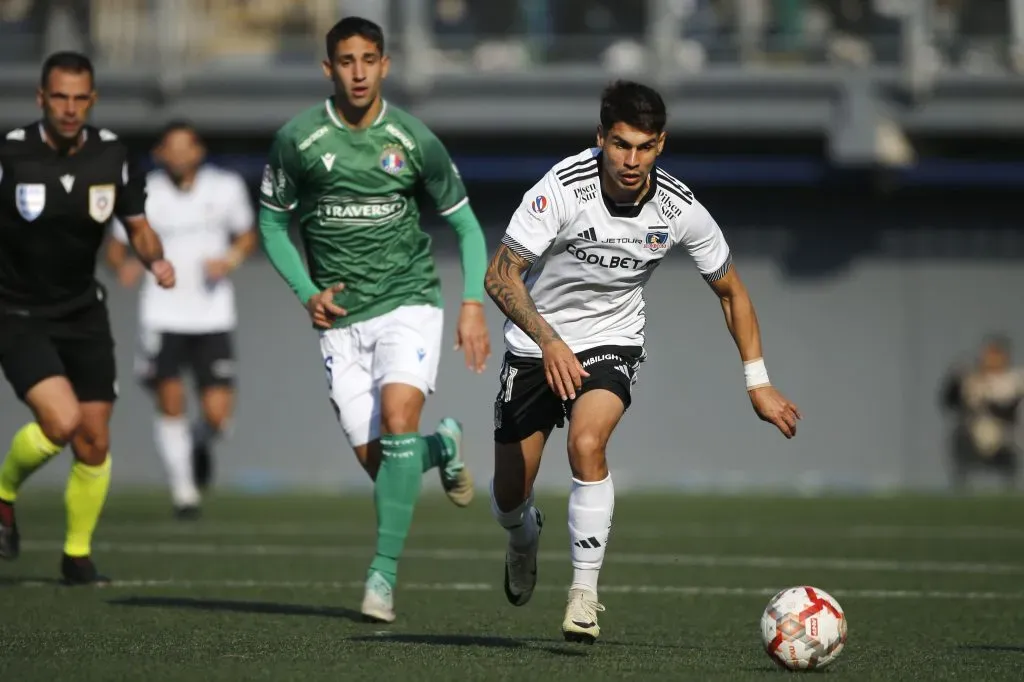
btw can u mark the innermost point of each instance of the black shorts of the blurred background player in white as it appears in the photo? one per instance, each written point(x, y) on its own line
point(165, 356)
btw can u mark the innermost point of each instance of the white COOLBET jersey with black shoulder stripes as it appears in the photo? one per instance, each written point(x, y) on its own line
point(591, 259)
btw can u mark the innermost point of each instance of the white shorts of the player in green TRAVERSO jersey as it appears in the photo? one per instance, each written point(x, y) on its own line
point(400, 348)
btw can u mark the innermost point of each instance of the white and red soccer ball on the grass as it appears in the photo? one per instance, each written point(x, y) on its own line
point(803, 628)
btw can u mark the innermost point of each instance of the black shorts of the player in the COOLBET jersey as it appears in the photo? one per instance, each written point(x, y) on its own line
point(527, 405)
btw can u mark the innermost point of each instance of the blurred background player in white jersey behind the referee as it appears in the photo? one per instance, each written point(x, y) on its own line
point(205, 218)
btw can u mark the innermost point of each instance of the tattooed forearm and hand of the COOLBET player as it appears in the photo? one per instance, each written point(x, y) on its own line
point(505, 286)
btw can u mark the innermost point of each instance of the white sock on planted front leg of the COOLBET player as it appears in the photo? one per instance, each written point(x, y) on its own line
point(591, 508)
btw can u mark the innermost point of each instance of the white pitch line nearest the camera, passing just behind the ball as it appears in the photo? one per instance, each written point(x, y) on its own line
point(657, 590)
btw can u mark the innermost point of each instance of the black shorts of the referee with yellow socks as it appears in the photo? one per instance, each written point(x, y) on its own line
point(77, 346)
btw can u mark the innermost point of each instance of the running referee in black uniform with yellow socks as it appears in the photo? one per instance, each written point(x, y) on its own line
point(61, 183)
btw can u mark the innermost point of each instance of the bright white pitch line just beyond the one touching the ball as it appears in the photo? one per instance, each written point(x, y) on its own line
point(439, 555)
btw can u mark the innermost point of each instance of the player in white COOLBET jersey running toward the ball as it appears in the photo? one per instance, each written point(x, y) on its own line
point(570, 277)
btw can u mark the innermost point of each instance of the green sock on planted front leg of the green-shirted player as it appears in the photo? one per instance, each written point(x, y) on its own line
point(396, 493)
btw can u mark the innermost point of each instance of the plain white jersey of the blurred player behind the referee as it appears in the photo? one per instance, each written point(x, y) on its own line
point(195, 226)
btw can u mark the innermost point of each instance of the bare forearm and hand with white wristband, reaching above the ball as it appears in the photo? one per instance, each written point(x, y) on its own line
point(742, 320)
